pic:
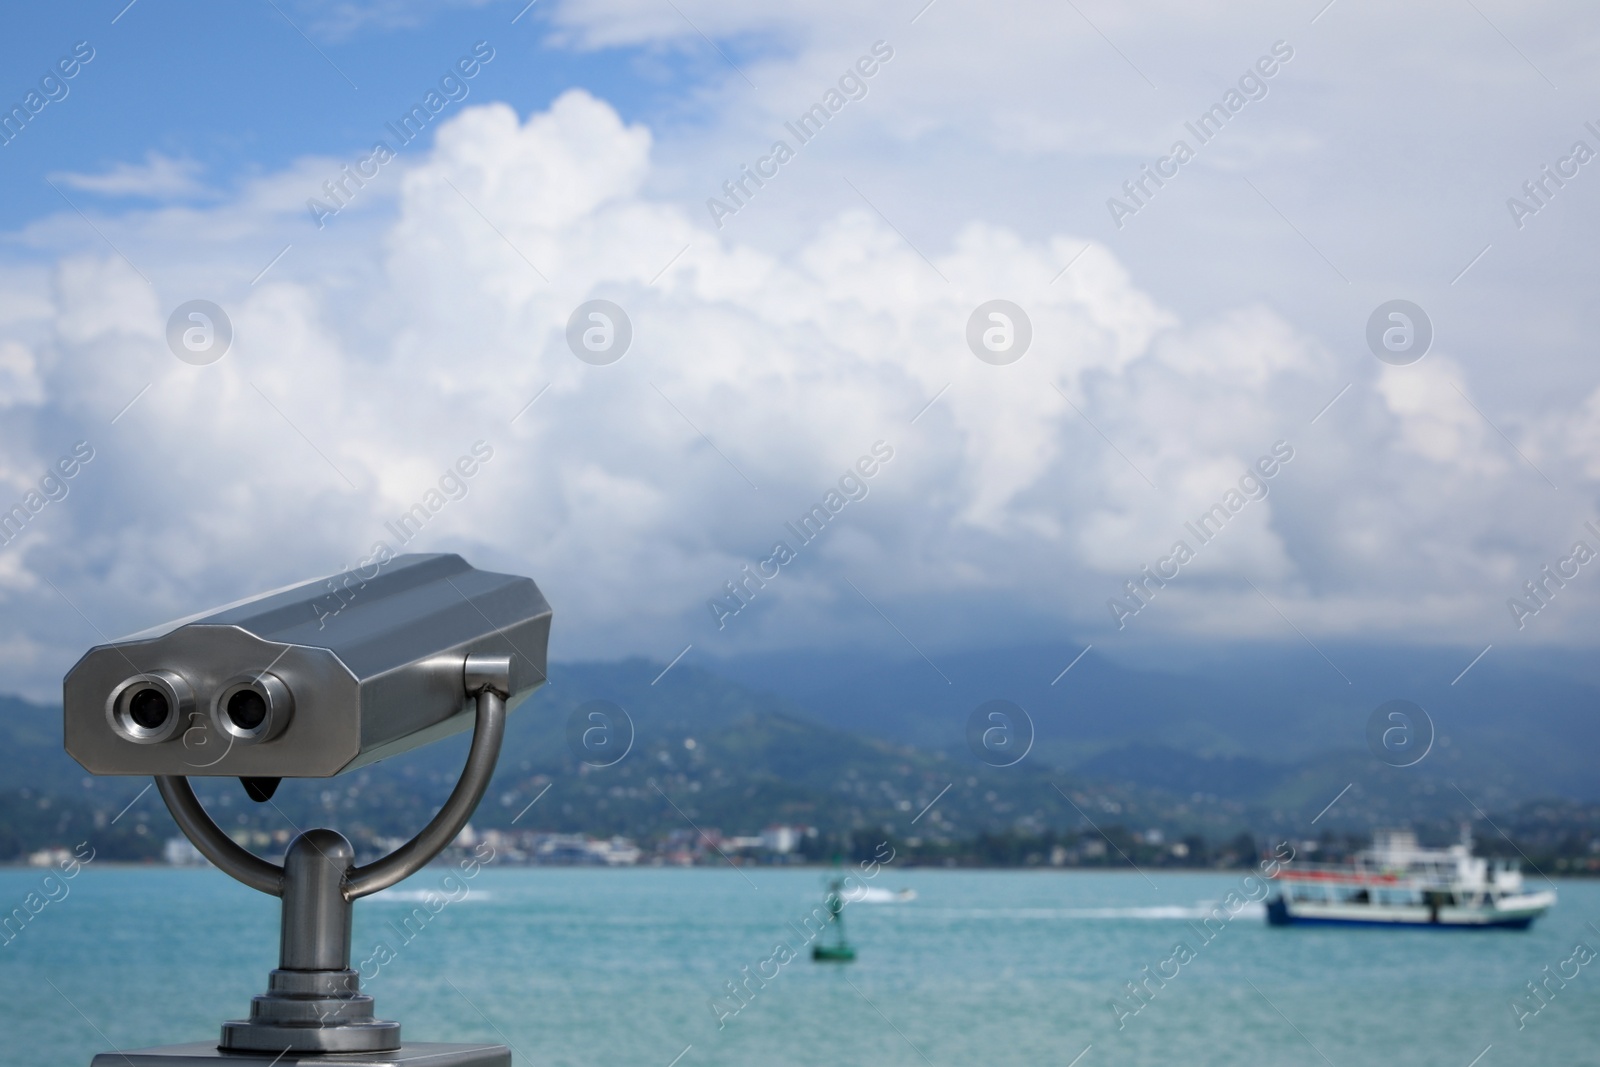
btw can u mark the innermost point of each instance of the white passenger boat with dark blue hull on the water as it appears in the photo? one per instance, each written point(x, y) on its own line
point(1399, 884)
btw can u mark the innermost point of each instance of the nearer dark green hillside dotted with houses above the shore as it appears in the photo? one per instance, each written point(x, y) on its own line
point(718, 757)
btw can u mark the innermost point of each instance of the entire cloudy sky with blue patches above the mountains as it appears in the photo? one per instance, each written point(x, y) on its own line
point(1183, 334)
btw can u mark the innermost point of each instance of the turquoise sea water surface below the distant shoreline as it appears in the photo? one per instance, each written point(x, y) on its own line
point(580, 967)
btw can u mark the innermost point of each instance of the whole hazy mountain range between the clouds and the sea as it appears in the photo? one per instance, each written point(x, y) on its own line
point(1249, 740)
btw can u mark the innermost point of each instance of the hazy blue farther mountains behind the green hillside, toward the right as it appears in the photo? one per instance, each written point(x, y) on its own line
point(1234, 722)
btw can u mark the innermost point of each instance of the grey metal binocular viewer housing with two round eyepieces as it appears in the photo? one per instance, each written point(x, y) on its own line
point(306, 682)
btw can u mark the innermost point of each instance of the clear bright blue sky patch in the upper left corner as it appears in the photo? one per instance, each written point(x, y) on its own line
point(242, 87)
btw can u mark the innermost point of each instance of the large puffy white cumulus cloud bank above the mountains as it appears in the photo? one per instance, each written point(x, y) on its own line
point(366, 366)
